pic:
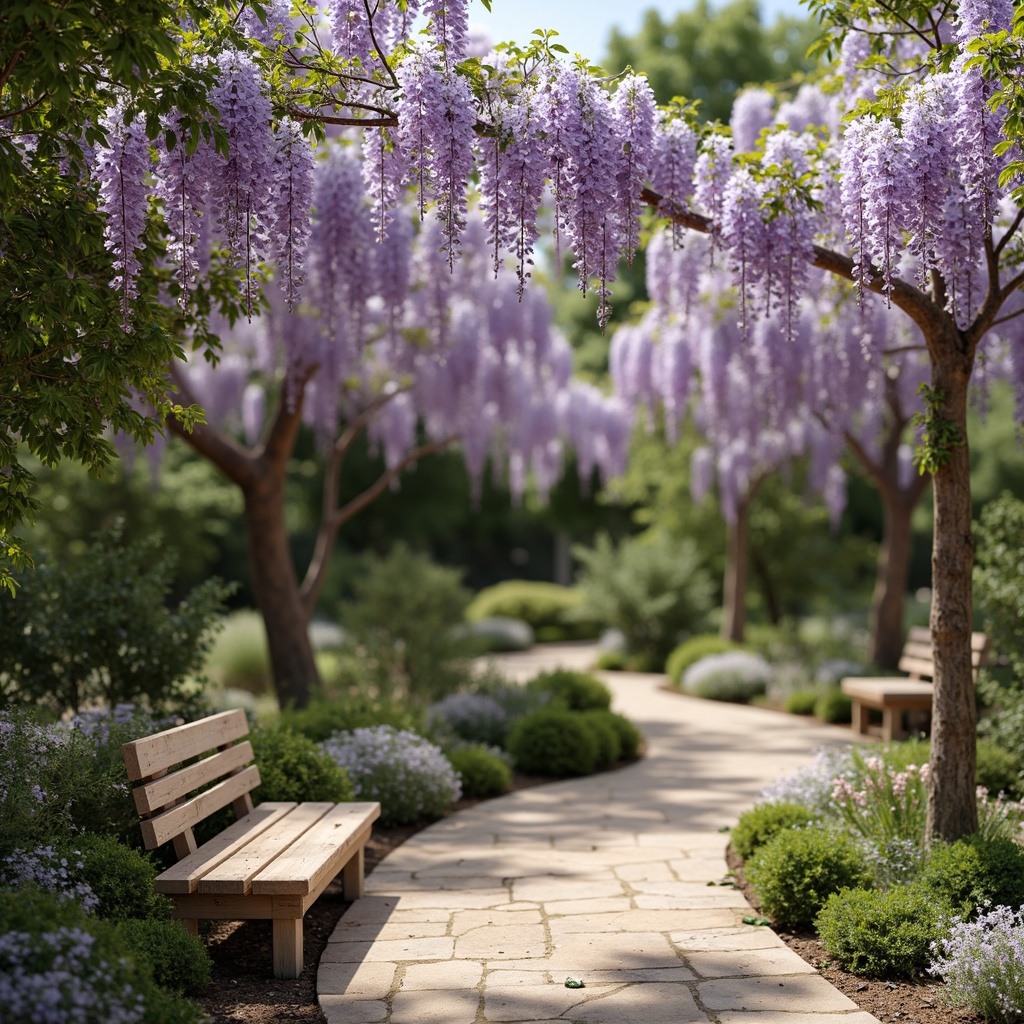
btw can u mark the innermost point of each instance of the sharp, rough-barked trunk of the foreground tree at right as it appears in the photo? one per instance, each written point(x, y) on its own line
point(953, 810)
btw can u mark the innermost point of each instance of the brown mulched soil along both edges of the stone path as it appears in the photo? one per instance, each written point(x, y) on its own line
point(244, 989)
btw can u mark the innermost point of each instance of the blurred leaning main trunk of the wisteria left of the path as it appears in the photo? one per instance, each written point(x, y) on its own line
point(277, 589)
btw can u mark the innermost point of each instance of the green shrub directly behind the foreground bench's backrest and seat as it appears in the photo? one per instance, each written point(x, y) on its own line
point(292, 767)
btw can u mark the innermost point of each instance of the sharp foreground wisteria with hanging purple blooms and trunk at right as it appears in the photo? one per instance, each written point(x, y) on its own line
point(434, 120)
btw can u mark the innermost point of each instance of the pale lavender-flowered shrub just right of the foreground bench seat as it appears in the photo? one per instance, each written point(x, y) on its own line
point(411, 778)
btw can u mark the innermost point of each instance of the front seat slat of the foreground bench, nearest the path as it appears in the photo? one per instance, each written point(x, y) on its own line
point(321, 854)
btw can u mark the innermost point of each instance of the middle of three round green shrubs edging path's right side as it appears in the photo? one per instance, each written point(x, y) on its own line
point(795, 873)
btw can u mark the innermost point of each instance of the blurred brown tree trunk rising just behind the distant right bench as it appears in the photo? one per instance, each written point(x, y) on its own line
point(890, 581)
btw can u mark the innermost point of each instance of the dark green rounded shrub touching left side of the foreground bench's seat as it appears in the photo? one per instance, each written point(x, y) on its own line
point(121, 878)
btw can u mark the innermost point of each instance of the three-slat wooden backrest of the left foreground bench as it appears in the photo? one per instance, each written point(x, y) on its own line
point(172, 802)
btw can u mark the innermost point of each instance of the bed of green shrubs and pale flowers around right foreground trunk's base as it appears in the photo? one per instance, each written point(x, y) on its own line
point(840, 848)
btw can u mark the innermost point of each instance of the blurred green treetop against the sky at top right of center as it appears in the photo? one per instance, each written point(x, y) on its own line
point(708, 54)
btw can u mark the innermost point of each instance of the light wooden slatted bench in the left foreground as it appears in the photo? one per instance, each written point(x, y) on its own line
point(272, 863)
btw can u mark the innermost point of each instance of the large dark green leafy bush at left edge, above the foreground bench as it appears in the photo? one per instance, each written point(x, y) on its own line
point(98, 630)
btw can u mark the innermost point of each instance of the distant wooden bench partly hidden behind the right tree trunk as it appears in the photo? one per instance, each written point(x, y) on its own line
point(895, 696)
